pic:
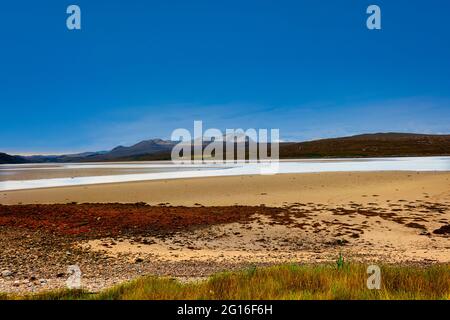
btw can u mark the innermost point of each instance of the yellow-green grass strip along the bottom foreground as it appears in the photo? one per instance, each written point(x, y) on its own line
point(282, 282)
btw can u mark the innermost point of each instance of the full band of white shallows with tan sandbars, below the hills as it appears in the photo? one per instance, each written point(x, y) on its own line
point(17, 177)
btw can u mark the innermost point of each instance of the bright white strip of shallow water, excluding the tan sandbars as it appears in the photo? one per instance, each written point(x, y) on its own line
point(335, 165)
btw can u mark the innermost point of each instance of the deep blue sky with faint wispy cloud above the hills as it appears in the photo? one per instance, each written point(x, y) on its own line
point(140, 69)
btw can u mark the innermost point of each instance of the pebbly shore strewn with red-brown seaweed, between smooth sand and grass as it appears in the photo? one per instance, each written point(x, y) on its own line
point(111, 243)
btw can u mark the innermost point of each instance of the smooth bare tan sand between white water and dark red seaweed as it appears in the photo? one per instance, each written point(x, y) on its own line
point(271, 190)
